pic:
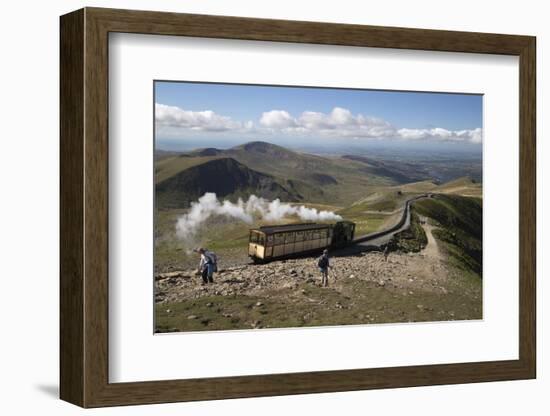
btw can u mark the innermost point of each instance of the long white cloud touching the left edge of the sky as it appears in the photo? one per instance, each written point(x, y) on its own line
point(170, 116)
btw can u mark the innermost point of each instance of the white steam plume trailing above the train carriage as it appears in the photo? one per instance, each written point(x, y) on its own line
point(209, 205)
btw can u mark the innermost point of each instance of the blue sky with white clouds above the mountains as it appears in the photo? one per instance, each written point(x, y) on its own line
point(240, 113)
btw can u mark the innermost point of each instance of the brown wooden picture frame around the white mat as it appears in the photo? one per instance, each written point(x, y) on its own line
point(84, 207)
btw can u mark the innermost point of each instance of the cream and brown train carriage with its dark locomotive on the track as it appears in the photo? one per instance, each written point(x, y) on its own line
point(282, 241)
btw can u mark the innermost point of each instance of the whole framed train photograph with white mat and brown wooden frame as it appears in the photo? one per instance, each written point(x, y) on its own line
point(255, 207)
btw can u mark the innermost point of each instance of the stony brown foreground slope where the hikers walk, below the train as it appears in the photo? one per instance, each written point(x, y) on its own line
point(363, 288)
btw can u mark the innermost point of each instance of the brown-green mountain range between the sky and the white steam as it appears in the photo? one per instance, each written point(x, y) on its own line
point(271, 171)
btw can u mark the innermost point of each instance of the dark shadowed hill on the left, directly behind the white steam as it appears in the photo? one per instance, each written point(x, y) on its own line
point(224, 176)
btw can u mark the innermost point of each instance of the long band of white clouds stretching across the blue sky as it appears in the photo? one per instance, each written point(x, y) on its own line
point(340, 122)
